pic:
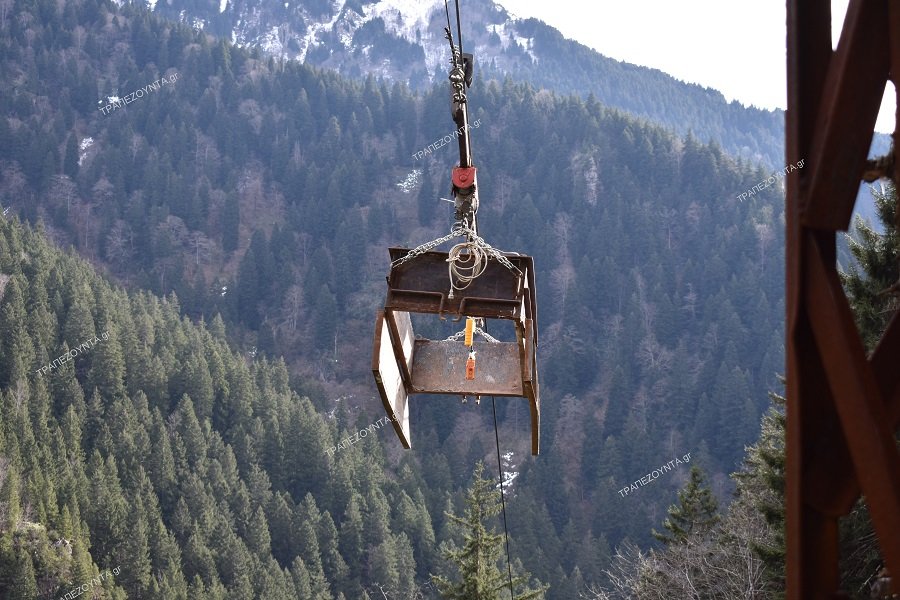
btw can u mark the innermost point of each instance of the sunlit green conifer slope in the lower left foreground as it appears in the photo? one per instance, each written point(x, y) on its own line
point(156, 450)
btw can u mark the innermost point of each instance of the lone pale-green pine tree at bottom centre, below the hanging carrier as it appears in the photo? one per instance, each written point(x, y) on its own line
point(480, 577)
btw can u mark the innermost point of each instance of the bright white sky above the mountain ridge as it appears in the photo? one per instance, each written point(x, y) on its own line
point(735, 46)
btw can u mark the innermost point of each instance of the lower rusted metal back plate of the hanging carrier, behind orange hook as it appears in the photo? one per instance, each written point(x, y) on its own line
point(439, 367)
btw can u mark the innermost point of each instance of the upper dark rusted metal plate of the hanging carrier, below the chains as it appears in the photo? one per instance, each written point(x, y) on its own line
point(422, 285)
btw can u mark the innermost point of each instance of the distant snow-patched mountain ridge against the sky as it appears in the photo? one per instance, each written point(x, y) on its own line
point(403, 40)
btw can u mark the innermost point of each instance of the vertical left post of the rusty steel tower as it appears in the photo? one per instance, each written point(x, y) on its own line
point(810, 535)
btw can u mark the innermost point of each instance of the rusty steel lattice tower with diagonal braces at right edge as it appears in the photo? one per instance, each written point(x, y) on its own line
point(841, 408)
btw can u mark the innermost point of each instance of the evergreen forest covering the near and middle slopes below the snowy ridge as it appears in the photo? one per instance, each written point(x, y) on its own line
point(209, 258)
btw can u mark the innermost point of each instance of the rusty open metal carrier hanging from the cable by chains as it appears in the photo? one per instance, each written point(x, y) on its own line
point(404, 364)
